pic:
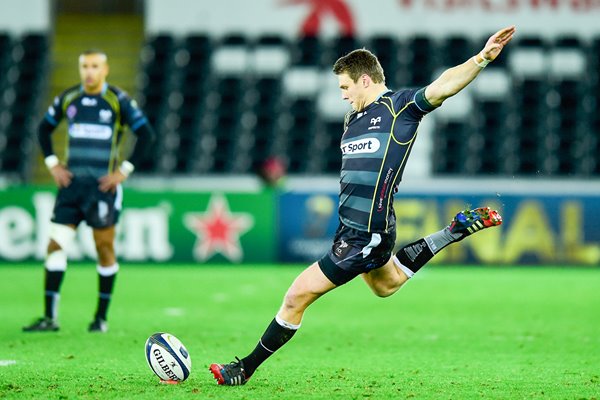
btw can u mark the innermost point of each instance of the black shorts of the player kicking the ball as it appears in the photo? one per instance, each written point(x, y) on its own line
point(355, 252)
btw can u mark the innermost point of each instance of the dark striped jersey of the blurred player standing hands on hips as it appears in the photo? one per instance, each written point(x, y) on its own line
point(95, 124)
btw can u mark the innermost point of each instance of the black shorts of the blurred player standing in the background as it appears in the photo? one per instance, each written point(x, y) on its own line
point(83, 201)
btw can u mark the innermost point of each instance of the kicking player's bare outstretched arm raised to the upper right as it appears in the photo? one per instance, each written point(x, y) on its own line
point(454, 79)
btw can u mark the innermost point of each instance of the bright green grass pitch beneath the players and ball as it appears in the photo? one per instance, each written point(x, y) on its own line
point(449, 333)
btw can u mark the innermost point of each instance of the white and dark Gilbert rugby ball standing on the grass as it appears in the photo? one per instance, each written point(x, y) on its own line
point(168, 358)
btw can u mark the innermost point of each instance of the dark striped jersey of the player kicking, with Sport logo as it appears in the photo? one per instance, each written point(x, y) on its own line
point(375, 146)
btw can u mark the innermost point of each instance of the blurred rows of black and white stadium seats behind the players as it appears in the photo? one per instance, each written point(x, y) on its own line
point(226, 104)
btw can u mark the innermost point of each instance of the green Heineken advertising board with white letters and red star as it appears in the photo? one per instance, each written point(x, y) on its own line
point(154, 226)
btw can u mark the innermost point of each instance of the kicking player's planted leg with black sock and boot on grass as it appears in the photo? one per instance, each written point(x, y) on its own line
point(306, 288)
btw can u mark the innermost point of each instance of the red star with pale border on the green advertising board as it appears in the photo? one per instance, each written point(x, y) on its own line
point(218, 230)
